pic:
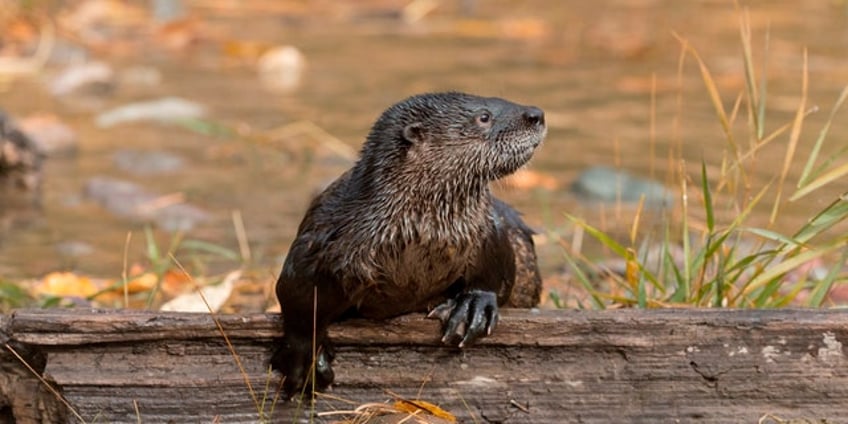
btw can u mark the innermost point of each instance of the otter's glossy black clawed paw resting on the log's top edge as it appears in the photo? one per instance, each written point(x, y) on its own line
point(467, 317)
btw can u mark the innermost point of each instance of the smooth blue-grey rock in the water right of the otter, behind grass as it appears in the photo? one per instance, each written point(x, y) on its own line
point(604, 184)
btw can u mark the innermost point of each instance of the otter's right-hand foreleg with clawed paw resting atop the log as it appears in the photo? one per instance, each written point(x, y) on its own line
point(473, 313)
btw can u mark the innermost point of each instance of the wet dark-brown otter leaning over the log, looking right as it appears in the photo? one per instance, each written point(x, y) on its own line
point(414, 226)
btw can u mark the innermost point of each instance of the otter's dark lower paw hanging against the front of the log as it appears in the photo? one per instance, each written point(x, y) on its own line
point(294, 360)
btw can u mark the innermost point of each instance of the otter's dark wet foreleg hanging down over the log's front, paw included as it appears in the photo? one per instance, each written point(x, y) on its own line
point(305, 322)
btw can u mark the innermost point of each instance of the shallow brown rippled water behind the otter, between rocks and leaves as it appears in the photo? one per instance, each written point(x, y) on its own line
point(589, 65)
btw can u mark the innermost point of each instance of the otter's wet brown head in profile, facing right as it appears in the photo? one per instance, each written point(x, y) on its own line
point(455, 136)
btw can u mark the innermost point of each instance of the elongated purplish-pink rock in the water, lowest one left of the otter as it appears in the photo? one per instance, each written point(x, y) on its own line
point(129, 200)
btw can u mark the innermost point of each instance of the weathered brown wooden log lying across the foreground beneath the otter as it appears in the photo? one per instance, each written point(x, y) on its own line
point(654, 366)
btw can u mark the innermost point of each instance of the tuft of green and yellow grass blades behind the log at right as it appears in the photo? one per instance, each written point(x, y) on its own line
point(715, 262)
